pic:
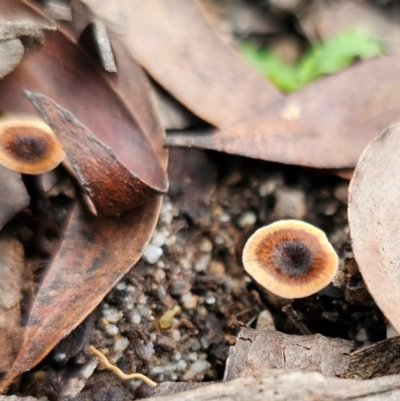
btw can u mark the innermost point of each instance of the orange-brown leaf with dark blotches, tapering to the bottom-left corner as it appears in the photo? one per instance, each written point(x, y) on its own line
point(94, 255)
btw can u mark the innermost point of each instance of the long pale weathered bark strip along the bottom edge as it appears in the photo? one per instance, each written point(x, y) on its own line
point(278, 385)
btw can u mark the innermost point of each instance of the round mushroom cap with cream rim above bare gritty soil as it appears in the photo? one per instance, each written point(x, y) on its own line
point(290, 258)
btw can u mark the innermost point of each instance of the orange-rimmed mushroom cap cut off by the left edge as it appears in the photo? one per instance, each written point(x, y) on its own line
point(28, 146)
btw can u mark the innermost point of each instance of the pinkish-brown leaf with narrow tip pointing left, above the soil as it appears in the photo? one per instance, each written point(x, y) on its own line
point(326, 125)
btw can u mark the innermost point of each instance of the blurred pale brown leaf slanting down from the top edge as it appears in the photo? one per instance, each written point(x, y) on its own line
point(186, 57)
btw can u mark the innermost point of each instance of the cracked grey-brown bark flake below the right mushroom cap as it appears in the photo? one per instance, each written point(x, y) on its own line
point(257, 350)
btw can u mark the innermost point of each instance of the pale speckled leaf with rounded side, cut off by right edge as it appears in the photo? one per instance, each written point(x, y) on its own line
point(374, 195)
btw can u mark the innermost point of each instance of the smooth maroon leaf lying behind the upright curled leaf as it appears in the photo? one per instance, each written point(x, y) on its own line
point(62, 71)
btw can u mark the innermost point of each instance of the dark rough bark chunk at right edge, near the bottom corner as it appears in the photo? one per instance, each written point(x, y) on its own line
point(379, 359)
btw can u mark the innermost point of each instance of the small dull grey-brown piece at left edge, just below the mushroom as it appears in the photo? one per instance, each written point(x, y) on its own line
point(13, 195)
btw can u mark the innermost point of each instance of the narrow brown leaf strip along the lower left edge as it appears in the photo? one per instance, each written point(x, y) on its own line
point(11, 272)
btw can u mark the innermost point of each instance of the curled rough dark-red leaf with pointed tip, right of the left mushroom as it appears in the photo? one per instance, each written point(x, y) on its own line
point(110, 186)
